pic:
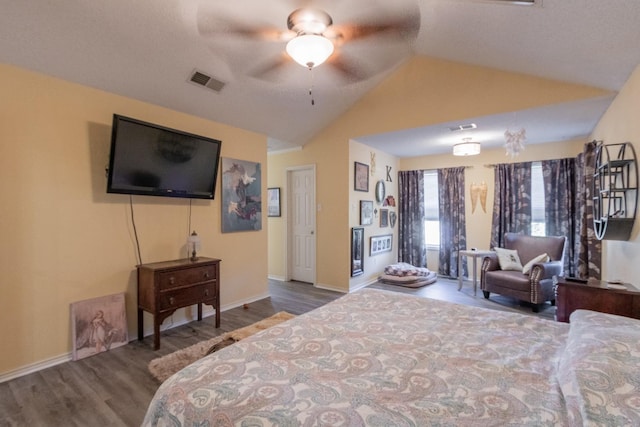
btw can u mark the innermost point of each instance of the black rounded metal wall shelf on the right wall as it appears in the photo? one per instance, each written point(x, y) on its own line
point(615, 191)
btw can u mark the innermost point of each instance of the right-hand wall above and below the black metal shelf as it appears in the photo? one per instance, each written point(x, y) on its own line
point(620, 124)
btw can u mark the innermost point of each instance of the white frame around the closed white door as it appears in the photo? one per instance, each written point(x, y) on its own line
point(289, 225)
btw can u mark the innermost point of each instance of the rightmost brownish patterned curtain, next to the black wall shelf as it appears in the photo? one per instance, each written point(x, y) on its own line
point(587, 248)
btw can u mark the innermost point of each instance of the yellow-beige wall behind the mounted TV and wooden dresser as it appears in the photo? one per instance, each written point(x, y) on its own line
point(64, 239)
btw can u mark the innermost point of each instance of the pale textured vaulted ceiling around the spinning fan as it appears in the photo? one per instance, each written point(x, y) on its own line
point(147, 49)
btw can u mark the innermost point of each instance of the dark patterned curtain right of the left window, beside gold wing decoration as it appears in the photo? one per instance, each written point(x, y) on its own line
point(453, 236)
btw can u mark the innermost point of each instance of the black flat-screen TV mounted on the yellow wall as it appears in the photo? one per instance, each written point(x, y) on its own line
point(153, 160)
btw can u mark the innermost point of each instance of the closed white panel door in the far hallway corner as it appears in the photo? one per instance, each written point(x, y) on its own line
point(302, 233)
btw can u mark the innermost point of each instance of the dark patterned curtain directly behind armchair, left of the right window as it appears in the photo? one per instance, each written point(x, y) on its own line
point(512, 201)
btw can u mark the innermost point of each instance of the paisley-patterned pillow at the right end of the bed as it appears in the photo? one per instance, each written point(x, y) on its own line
point(599, 370)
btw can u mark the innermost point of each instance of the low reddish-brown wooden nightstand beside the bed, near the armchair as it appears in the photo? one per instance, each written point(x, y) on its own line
point(596, 295)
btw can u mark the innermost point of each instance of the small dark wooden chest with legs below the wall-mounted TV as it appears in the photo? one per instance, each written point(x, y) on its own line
point(164, 287)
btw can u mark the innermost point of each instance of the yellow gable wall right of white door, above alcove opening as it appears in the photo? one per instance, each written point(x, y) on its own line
point(421, 92)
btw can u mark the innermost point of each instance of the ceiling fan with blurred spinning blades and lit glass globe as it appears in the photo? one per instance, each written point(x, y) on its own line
point(355, 50)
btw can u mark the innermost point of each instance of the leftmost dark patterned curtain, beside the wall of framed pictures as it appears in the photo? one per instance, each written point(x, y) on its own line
point(411, 246)
